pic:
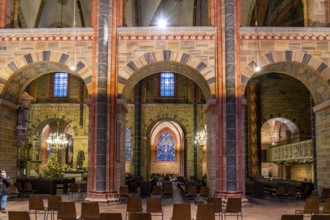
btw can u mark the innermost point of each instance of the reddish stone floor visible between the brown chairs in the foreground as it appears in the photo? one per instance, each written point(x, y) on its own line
point(253, 209)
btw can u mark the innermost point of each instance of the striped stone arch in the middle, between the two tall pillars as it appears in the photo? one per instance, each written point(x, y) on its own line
point(166, 60)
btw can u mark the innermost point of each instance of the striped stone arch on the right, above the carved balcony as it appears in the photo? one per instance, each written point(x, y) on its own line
point(310, 70)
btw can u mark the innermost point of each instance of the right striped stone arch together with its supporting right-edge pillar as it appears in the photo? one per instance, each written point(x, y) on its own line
point(314, 75)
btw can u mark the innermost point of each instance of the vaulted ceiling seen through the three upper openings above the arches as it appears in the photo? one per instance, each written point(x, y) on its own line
point(69, 13)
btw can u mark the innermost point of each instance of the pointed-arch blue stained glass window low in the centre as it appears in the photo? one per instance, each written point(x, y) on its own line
point(165, 149)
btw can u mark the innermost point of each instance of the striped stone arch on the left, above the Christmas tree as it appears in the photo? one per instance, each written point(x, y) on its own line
point(21, 71)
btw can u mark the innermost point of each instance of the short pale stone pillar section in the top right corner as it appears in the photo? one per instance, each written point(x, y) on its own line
point(317, 12)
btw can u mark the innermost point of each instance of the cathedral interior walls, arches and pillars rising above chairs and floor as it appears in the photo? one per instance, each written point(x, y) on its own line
point(224, 92)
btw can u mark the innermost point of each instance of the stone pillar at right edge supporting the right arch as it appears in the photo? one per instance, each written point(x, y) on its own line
point(322, 126)
